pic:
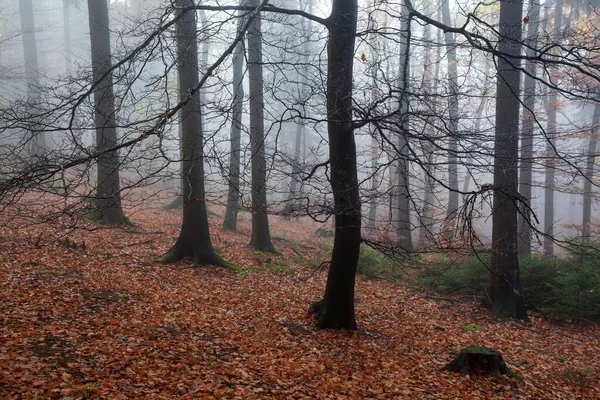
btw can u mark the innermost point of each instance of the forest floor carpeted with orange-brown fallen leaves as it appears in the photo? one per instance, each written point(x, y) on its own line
point(109, 322)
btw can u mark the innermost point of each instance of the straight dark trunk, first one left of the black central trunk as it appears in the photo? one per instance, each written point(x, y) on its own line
point(261, 237)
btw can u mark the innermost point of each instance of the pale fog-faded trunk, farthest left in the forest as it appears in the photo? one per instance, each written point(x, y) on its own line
point(36, 140)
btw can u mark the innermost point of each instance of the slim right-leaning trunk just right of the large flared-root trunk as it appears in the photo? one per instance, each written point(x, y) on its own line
point(233, 192)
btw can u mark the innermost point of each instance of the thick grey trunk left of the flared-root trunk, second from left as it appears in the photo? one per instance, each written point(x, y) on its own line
point(108, 196)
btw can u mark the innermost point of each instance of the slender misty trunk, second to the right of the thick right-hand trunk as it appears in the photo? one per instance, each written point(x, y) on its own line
point(549, 182)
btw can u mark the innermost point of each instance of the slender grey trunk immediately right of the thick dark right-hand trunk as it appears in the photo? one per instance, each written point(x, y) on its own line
point(529, 95)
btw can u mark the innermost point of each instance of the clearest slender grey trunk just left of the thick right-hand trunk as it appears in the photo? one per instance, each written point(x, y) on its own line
point(450, 222)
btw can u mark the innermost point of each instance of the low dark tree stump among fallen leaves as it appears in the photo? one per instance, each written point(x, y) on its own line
point(478, 360)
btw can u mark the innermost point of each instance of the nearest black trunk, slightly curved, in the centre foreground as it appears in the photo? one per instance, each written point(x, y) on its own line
point(337, 309)
